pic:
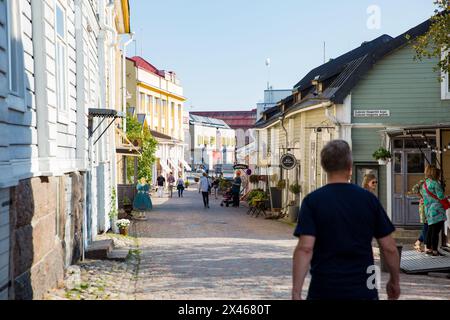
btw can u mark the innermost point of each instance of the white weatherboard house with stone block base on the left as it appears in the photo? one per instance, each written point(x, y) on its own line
point(55, 59)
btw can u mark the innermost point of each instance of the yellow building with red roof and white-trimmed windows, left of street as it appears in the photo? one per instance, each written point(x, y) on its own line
point(156, 97)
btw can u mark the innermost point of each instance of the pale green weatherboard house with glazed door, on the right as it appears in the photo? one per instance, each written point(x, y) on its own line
point(401, 105)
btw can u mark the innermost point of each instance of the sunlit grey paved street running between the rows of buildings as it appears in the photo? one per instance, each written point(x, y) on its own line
point(221, 253)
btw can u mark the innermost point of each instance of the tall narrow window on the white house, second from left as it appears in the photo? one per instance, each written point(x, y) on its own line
point(61, 57)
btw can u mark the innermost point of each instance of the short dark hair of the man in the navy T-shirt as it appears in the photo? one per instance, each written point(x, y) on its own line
point(336, 156)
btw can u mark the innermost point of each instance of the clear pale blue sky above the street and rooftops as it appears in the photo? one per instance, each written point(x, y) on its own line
point(218, 48)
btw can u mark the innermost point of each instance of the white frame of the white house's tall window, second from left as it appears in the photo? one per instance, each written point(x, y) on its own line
point(63, 111)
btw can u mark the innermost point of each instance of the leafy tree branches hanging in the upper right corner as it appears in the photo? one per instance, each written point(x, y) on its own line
point(436, 41)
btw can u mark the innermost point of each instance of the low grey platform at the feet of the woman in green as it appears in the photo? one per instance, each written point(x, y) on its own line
point(416, 262)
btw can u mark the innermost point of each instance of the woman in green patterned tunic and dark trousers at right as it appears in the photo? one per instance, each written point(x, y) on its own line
point(432, 193)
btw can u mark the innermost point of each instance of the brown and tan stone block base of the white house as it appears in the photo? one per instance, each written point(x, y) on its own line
point(39, 223)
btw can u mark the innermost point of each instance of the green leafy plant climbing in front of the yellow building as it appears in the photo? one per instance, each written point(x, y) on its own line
point(143, 138)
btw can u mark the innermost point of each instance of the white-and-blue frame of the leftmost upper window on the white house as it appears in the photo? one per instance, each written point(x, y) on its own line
point(15, 99)
